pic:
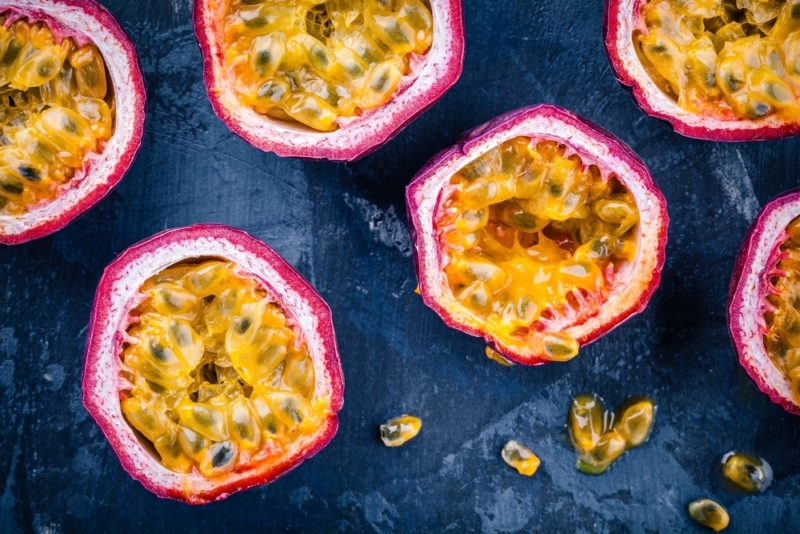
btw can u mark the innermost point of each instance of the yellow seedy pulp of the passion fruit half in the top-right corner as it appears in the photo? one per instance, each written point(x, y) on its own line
point(725, 58)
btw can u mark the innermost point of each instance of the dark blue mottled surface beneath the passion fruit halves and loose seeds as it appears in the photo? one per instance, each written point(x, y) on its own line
point(343, 227)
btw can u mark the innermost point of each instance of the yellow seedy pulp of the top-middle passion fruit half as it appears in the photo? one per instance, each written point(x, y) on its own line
point(313, 61)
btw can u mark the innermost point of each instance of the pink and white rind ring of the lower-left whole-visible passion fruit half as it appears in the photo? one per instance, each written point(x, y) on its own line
point(118, 293)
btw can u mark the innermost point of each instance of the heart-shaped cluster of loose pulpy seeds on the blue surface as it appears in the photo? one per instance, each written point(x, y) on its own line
point(601, 436)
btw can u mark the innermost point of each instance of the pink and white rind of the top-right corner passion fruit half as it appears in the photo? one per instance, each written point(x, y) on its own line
point(622, 17)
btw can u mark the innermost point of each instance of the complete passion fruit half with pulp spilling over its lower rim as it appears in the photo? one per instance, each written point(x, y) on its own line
point(538, 232)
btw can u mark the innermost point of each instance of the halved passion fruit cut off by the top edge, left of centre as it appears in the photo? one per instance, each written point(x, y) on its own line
point(328, 79)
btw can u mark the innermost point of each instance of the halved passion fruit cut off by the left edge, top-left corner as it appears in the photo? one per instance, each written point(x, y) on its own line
point(72, 106)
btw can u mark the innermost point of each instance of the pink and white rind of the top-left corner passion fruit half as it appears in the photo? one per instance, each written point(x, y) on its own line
point(87, 21)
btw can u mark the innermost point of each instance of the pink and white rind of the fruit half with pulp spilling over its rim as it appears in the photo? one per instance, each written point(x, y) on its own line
point(635, 284)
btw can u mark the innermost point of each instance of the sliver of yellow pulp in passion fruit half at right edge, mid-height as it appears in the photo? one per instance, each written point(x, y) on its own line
point(782, 338)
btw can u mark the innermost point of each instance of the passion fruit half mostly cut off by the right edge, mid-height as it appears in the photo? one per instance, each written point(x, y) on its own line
point(764, 305)
